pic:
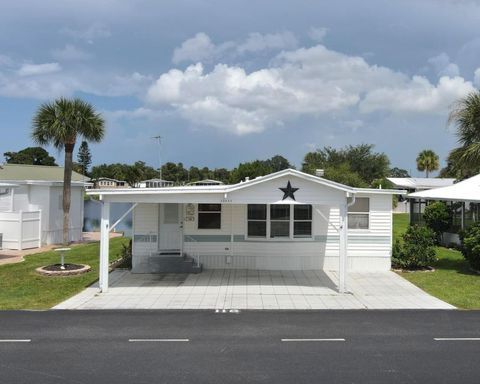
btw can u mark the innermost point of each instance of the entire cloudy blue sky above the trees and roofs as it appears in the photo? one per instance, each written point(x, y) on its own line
point(225, 81)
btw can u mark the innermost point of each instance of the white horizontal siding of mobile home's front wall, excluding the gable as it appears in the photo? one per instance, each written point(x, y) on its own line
point(228, 247)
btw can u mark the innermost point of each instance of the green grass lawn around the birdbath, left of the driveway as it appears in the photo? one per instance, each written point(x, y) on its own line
point(22, 288)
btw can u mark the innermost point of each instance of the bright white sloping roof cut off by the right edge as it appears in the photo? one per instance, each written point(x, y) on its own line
point(466, 190)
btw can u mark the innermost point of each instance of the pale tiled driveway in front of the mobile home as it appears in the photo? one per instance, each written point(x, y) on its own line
point(249, 289)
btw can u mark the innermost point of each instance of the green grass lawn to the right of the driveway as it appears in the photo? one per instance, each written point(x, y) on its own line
point(452, 280)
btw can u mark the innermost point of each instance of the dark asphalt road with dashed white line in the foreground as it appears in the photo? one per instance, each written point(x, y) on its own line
point(207, 347)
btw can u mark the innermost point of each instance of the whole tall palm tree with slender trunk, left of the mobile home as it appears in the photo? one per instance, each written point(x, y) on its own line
point(61, 123)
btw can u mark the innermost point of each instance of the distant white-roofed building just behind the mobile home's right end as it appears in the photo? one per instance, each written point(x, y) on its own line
point(415, 184)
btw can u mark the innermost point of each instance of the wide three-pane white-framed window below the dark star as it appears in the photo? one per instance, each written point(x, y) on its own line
point(279, 221)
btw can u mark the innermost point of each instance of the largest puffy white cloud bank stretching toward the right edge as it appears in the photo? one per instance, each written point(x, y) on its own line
point(301, 82)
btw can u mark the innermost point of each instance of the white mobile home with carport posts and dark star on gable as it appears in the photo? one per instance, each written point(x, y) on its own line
point(287, 220)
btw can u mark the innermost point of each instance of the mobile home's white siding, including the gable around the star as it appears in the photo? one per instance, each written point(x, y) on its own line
point(228, 246)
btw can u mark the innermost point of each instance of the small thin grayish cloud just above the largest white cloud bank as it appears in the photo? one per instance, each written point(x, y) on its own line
point(201, 48)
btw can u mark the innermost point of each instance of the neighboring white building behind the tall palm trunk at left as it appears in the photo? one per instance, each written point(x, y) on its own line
point(31, 211)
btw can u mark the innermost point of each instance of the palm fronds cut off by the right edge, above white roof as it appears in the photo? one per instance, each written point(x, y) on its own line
point(465, 115)
